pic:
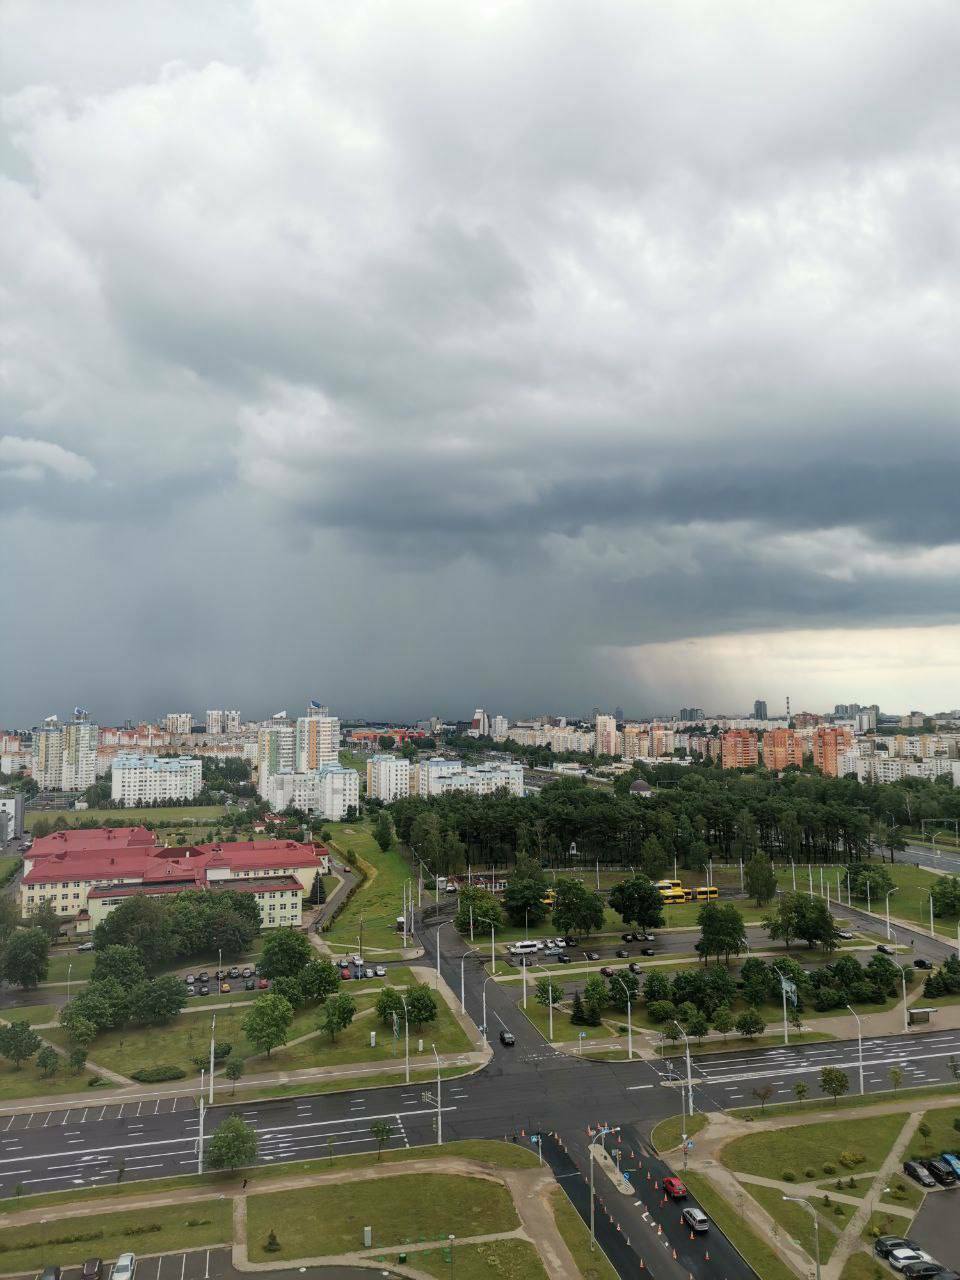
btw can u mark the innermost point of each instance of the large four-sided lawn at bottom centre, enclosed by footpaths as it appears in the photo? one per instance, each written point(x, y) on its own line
point(322, 1220)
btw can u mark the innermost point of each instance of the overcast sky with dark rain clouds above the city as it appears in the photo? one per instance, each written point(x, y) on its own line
point(422, 356)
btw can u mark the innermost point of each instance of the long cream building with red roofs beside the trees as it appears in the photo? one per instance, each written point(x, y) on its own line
point(85, 881)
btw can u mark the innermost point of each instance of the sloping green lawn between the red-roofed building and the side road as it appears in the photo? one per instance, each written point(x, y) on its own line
point(380, 900)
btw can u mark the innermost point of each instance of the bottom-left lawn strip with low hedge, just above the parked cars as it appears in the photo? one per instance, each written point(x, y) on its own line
point(179, 1227)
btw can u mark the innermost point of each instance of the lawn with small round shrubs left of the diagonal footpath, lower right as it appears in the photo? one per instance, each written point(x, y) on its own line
point(815, 1145)
